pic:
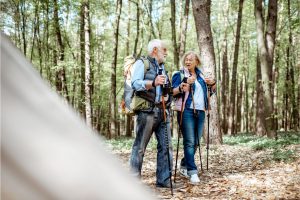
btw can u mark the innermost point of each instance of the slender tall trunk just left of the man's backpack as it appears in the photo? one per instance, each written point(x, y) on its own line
point(113, 104)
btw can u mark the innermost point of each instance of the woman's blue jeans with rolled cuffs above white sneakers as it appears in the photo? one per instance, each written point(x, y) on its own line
point(192, 128)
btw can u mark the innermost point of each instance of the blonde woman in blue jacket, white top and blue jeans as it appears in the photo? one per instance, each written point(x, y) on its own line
point(194, 89)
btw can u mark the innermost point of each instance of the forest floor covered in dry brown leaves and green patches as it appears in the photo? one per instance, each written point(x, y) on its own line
point(236, 171)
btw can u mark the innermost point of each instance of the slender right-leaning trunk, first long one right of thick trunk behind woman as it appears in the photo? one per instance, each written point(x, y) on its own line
point(231, 120)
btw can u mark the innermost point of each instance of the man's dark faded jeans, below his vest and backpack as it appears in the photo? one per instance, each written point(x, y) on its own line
point(147, 123)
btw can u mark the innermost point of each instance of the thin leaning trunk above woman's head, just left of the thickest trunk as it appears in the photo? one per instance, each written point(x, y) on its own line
point(184, 28)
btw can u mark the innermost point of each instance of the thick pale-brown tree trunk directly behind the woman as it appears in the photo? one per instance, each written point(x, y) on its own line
point(201, 11)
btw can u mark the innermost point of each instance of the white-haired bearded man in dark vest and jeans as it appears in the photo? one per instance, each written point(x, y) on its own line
point(149, 85)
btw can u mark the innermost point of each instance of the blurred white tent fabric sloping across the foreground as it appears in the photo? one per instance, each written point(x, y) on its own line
point(47, 151)
